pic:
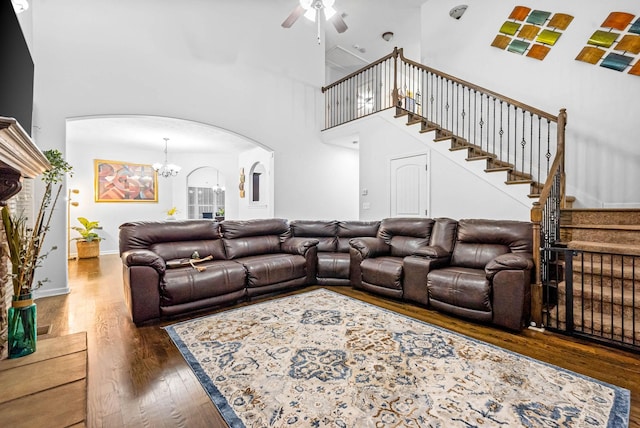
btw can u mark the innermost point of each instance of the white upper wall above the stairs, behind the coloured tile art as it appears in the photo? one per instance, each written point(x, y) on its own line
point(602, 151)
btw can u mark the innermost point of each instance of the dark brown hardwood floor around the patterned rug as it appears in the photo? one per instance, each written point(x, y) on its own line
point(138, 378)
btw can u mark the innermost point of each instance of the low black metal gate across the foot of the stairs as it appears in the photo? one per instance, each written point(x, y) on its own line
point(594, 295)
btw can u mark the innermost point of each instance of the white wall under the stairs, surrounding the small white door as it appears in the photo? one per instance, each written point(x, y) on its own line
point(454, 191)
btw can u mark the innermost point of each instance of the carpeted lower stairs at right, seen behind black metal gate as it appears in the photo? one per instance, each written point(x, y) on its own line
point(602, 261)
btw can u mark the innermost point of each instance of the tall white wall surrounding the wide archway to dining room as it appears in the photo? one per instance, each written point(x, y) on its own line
point(194, 60)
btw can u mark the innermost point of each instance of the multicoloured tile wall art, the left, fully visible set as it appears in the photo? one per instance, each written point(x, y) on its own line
point(531, 32)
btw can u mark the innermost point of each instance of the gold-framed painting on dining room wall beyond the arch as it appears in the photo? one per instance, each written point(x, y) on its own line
point(117, 181)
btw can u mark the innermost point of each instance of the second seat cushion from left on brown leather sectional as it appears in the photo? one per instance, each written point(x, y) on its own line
point(272, 269)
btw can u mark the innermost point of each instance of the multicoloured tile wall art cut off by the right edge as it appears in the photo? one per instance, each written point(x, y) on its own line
point(615, 50)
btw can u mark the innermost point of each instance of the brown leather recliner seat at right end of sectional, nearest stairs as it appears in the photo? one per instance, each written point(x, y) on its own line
point(488, 278)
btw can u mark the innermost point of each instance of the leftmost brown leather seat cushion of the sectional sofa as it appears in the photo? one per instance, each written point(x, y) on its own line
point(187, 284)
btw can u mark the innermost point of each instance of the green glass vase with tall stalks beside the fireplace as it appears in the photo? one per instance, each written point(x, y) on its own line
point(25, 243)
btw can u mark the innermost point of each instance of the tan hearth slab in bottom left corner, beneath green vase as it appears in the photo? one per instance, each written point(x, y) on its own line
point(47, 388)
